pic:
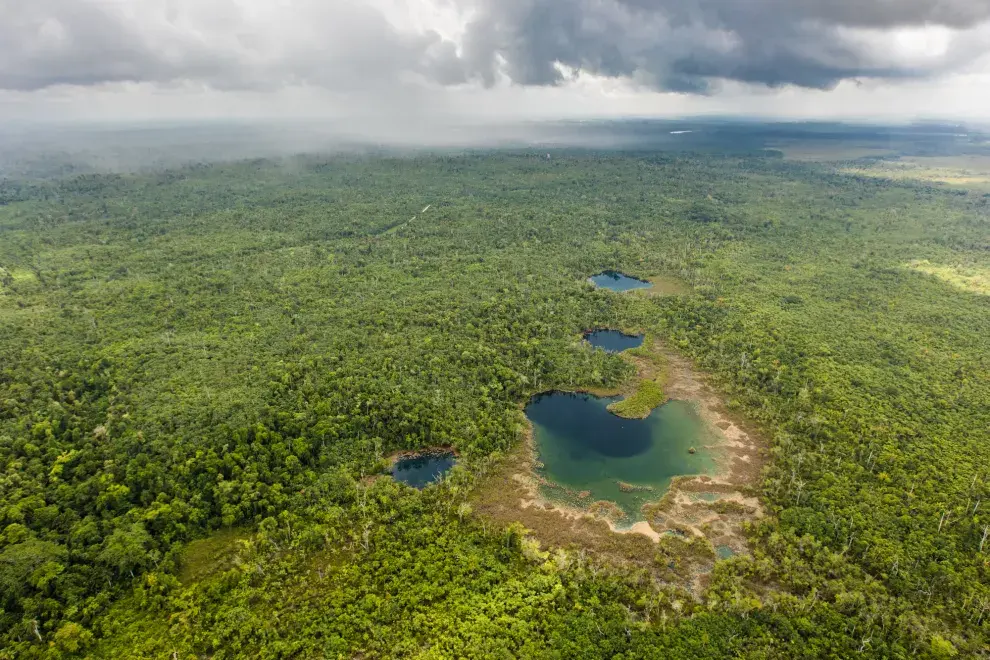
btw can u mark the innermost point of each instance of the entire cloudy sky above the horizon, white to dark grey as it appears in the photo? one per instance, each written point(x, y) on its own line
point(493, 59)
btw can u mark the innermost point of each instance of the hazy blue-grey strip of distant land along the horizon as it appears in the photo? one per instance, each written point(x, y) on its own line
point(44, 149)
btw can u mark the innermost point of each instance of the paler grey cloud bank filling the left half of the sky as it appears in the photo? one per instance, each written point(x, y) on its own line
point(339, 44)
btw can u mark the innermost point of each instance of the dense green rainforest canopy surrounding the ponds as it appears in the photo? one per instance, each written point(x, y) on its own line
point(203, 369)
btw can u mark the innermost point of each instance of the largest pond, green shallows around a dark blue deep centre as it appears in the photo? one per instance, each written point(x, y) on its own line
point(588, 450)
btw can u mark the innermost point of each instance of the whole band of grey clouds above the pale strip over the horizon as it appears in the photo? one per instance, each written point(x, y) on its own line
point(674, 45)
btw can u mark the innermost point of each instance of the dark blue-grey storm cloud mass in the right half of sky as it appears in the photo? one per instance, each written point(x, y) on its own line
point(685, 45)
